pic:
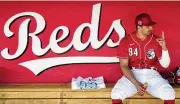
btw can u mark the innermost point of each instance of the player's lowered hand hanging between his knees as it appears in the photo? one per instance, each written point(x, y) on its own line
point(140, 89)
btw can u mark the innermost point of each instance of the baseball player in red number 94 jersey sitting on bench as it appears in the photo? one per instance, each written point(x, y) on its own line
point(139, 52)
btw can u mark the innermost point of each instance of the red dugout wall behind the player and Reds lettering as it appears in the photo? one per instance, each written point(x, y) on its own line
point(72, 15)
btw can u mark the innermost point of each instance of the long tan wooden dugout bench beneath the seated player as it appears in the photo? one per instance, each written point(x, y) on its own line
point(55, 93)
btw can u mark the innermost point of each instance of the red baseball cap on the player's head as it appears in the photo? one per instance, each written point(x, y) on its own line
point(144, 19)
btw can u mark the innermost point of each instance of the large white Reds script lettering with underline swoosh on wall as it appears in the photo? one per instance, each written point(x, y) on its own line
point(39, 65)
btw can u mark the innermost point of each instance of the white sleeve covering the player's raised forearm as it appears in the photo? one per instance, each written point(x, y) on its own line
point(165, 59)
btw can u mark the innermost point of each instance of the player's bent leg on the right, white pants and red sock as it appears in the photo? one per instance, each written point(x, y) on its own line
point(160, 88)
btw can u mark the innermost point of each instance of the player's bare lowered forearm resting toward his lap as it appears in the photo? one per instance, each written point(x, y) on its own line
point(128, 74)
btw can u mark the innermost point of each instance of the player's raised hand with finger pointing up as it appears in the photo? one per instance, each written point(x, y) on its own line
point(162, 41)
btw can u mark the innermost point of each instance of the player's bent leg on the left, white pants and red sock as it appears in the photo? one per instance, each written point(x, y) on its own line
point(122, 89)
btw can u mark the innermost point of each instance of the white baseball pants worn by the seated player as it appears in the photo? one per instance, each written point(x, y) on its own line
point(157, 86)
